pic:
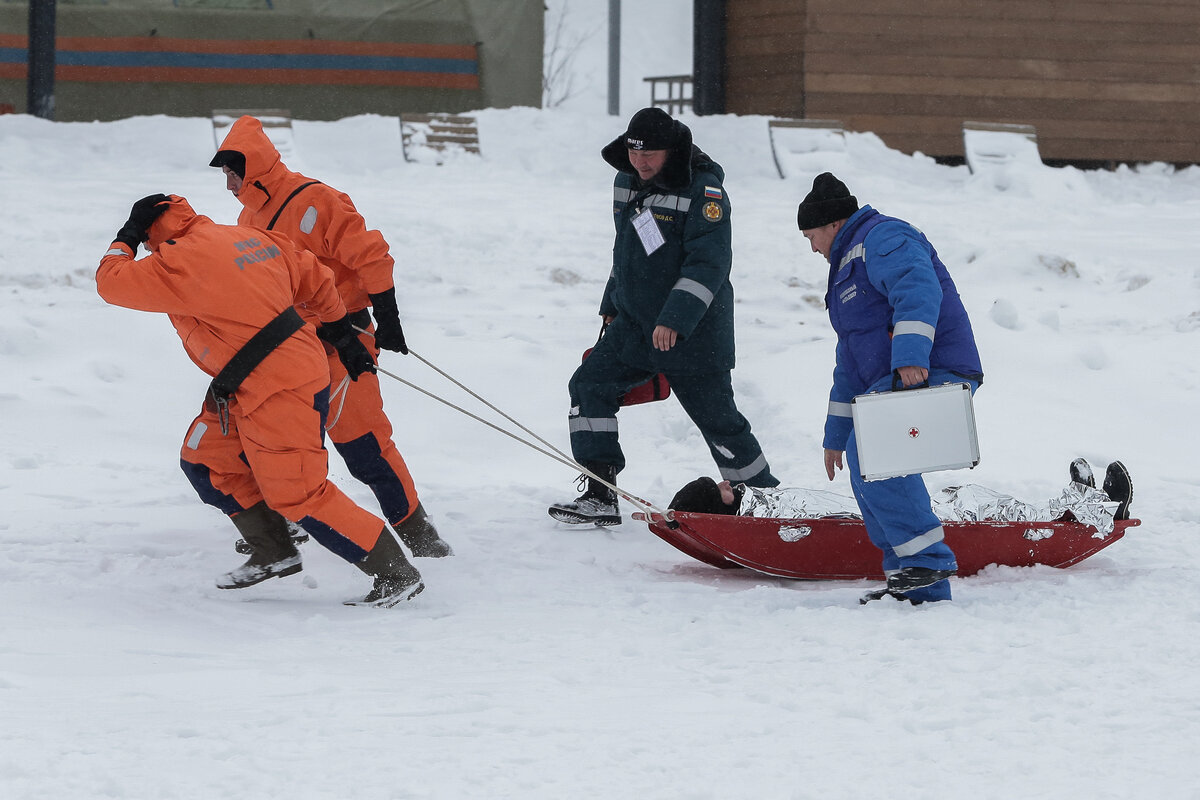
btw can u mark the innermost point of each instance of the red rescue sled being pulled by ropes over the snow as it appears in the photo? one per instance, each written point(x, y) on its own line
point(839, 550)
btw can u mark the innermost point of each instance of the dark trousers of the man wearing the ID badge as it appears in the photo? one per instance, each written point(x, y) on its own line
point(599, 384)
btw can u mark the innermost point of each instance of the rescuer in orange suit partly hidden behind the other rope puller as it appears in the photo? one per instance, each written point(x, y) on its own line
point(325, 221)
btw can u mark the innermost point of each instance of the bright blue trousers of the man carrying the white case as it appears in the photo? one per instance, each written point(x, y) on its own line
point(898, 515)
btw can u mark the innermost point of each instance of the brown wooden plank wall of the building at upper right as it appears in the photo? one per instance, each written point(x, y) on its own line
point(1101, 80)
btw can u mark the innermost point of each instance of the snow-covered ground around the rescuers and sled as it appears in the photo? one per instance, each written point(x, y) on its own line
point(545, 661)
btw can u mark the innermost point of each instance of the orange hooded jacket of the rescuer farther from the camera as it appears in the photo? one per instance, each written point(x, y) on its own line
point(319, 219)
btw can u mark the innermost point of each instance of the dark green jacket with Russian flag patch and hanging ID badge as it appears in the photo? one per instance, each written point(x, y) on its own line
point(685, 285)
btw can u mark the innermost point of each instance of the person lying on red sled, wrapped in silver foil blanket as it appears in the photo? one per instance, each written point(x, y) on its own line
point(1079, 502)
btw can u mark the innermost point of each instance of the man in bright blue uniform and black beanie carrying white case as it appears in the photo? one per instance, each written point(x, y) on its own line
point(901, 324)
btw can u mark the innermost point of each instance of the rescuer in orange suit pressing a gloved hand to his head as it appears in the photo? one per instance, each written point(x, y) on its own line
point(231, 293)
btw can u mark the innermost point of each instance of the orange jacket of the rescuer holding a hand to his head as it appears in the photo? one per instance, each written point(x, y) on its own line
point(220, 285)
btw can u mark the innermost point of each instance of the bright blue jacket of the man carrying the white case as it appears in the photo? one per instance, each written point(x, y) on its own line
point(893, 304)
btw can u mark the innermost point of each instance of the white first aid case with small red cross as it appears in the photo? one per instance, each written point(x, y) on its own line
point(915, 431)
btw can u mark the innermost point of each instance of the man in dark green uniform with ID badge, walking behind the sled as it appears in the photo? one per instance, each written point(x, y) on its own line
point(668, 309)
